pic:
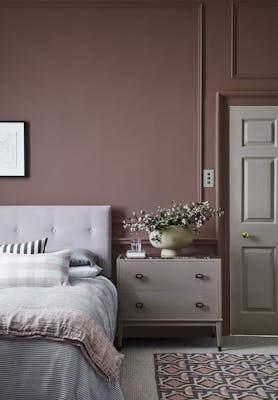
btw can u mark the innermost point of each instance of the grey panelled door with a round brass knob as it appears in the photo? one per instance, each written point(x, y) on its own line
point(253, 220)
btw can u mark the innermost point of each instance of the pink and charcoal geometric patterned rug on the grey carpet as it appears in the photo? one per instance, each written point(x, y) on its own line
point(216, 376)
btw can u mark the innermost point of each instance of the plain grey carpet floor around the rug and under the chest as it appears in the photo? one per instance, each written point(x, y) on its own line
point(137, 377)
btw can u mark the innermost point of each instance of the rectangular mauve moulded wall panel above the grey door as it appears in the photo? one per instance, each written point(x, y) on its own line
point(254, 32)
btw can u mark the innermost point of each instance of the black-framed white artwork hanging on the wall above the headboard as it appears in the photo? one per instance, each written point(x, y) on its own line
point(12, 148)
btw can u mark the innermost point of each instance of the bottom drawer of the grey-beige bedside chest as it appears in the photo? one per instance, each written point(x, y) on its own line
point(146, 305)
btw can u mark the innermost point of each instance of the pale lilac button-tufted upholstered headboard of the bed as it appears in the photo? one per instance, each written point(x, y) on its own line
point(65, 226)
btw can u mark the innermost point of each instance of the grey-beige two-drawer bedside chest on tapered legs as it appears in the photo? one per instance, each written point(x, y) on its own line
point(175, 292)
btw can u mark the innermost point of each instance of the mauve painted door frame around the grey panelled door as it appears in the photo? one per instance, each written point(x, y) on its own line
point(225, 99)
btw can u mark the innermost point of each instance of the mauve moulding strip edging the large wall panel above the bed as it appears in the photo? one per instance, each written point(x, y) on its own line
point(187, 9)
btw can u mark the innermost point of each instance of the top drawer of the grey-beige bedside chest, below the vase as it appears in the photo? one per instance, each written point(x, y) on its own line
point(157, 274)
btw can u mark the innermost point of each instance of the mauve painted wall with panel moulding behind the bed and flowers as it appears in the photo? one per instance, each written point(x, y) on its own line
point(120, 97)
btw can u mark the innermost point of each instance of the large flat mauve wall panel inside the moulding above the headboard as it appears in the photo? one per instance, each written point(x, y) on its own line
point(110, 94)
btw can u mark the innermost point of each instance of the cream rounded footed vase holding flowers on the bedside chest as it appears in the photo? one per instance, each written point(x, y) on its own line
point(171, 241)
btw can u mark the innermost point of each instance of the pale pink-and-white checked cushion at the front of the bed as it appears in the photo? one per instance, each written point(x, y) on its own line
point(49, 269)
